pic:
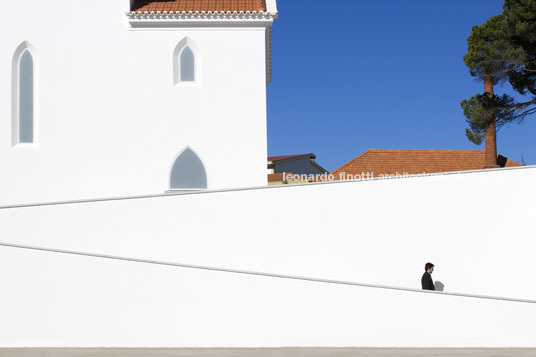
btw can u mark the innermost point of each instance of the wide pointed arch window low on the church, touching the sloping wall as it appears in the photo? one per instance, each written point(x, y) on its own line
point(188, 172)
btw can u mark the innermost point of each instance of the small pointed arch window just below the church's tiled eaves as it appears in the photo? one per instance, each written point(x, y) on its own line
point(186, 62)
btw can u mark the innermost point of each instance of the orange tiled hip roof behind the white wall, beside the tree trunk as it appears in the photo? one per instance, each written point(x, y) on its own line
point(389, 162)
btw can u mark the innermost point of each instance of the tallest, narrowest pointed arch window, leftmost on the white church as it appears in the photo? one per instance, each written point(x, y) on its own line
point(23, 96)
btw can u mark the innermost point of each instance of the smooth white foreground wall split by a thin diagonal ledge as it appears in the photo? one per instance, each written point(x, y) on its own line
point(379, 232)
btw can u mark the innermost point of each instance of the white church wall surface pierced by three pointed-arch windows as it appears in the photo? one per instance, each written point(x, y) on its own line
point(110, 120)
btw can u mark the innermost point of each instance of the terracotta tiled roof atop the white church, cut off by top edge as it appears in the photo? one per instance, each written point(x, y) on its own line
point(199, 5)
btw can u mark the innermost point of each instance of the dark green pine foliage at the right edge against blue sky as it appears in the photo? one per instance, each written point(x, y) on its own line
point(503, 48)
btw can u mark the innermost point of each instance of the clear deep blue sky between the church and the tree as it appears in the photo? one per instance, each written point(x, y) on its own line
point(349, 75)
